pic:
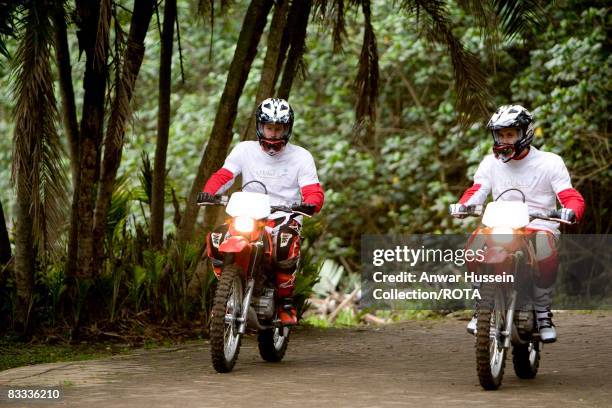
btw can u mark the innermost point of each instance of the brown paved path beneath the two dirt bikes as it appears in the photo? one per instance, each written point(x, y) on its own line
point(420, 364)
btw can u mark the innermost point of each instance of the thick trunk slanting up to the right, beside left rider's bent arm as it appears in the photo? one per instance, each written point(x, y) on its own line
point(221, 134)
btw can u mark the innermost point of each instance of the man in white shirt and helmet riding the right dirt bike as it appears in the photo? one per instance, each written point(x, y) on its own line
point(543, 177)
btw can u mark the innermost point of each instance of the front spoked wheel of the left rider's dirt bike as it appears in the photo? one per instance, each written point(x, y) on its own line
point(227, 308)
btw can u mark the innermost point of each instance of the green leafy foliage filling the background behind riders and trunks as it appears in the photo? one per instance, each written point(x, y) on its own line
point(418, 162)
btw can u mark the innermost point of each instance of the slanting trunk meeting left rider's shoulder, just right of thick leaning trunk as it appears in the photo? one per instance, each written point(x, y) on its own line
point(270, 67)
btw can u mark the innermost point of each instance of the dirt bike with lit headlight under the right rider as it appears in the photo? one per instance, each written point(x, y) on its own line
point(505, 312)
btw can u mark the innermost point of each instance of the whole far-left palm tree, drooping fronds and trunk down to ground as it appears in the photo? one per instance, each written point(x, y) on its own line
point(37, 172)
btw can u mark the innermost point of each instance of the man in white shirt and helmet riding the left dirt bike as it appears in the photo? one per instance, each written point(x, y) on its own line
point(290, 175)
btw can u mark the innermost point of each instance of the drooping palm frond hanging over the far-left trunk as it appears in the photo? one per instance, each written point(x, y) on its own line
point(37, 151)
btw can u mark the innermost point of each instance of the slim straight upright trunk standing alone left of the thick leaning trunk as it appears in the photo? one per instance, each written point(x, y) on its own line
point(163, 126)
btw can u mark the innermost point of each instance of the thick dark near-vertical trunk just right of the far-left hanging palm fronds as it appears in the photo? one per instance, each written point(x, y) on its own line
point(94, 19)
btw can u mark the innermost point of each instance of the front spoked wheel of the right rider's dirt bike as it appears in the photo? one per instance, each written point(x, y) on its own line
point(490, 353)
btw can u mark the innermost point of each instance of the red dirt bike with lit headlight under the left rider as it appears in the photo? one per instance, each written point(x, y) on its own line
point(245, 298)
